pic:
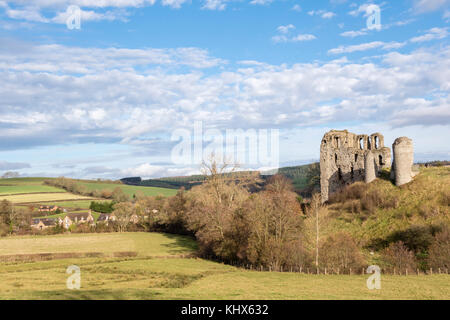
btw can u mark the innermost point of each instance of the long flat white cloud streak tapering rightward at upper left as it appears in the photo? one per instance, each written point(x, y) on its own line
point(58, 58)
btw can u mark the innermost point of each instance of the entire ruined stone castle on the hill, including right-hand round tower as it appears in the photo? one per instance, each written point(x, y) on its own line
point(346, 158)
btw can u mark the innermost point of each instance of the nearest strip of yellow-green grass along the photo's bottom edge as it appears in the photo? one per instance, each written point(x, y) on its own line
point(112, 278)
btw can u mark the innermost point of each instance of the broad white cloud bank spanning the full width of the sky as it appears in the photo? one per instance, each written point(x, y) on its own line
point(127, 103)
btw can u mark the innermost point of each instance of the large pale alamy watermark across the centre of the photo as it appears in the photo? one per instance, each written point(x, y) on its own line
point(252, 148)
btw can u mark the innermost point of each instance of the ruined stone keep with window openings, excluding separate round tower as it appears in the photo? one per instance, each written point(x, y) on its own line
point(343, 159)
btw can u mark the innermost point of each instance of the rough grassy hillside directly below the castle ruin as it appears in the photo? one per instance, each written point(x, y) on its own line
point(380, 213)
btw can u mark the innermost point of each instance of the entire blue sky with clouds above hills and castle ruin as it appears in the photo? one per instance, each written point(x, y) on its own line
point(105, 100)
